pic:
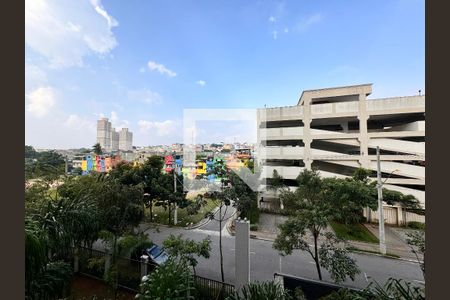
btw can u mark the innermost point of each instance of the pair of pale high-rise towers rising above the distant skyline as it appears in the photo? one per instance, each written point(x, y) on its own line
point(111, 140)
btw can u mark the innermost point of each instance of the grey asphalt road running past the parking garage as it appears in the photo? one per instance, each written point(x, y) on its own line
point(265, 261)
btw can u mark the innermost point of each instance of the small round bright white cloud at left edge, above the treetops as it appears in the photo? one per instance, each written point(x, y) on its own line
point(40, 101)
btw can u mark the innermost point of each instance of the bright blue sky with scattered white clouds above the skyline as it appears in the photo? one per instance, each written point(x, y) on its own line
point(140, 63)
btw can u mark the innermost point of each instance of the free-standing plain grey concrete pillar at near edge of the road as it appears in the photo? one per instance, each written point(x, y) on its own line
point(242, 253)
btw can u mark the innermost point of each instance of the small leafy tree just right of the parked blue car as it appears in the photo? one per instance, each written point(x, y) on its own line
point(187, 249)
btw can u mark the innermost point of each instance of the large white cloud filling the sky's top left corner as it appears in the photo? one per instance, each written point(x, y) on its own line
point(65, 31)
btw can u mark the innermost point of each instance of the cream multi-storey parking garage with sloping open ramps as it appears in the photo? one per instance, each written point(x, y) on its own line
point(336, 130)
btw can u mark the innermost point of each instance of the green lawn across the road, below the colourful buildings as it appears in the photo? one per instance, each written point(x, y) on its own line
point(162, 215)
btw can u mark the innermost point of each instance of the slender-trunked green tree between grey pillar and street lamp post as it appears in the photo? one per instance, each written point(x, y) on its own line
point(311, 213)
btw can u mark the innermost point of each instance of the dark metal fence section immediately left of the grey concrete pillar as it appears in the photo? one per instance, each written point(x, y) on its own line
point(207, 289)
